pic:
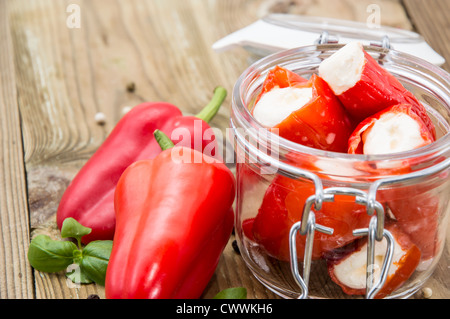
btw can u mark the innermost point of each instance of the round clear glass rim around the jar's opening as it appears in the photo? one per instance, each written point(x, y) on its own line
point(440, 146)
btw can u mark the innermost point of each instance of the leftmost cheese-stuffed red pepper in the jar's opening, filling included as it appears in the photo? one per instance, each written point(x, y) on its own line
point(303, 111)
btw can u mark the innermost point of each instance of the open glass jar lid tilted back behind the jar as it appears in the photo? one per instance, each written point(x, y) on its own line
point(277, 32)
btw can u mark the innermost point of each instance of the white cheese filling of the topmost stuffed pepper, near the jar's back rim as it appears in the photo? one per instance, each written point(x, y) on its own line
point(342, 70)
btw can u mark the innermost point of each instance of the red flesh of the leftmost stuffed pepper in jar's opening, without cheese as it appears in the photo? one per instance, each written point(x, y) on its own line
point(321, 122)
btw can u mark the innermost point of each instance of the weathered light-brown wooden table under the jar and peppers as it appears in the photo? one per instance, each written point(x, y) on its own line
point(55, 77)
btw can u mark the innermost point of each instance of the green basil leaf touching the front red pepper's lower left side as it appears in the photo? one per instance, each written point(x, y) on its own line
point(95, 260)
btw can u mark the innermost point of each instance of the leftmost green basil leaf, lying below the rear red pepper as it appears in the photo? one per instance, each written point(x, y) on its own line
point(48, 255)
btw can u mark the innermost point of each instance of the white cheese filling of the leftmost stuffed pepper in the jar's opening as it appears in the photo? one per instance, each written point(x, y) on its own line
point(277, 104)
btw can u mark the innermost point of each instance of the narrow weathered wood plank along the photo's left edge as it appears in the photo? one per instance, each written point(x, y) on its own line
point(16, 279)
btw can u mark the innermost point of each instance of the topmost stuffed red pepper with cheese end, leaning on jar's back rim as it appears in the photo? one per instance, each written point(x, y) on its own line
point(369, 87)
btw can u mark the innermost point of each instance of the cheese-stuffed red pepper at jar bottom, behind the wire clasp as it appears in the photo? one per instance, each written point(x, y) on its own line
point(348, 269)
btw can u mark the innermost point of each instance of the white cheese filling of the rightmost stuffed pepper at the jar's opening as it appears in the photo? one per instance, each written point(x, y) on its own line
point(392, 133)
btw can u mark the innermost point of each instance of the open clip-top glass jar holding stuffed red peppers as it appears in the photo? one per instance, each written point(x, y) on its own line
point(294, 186)
